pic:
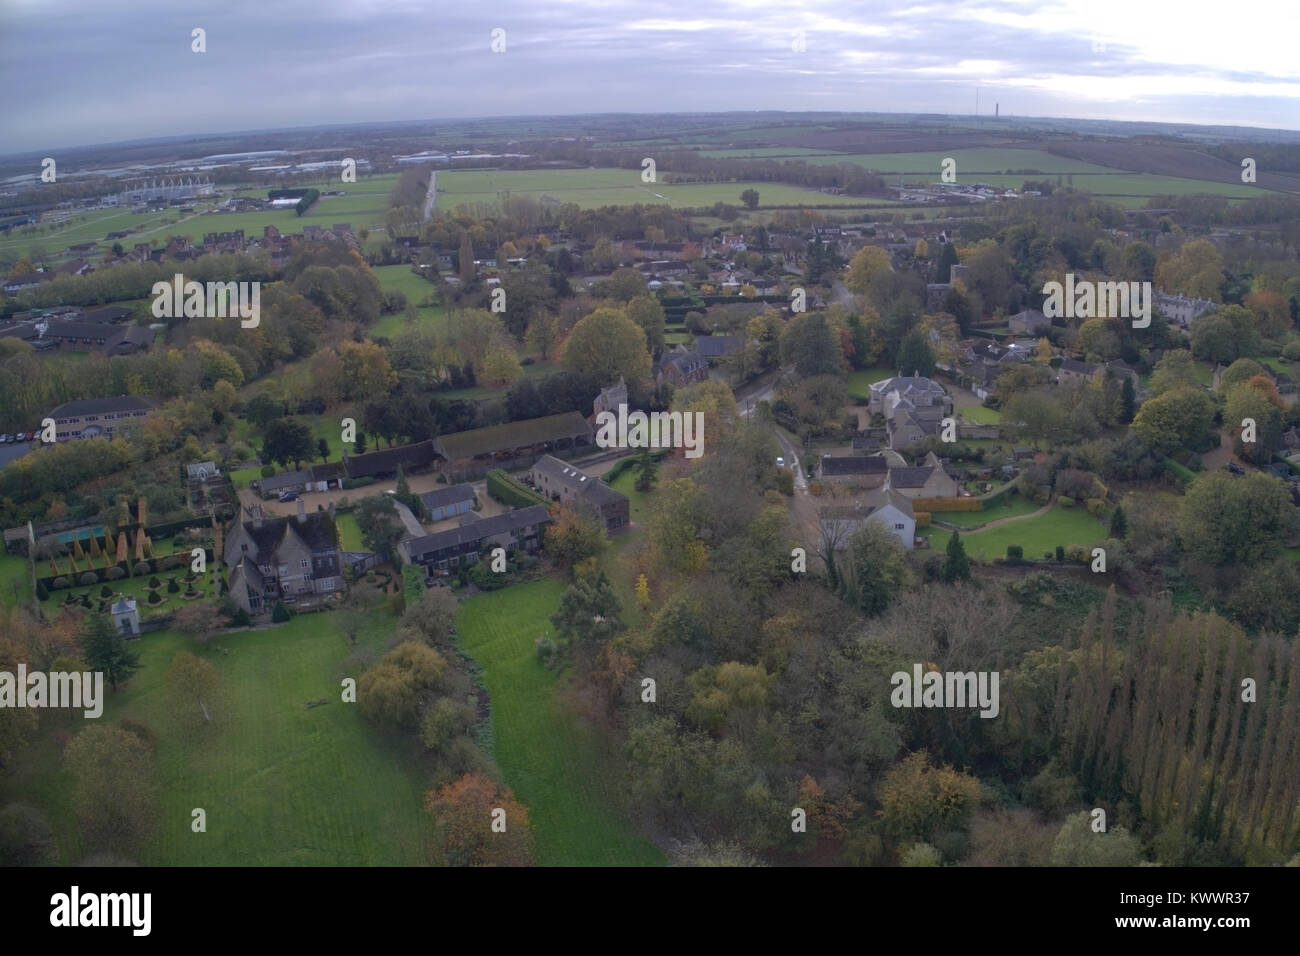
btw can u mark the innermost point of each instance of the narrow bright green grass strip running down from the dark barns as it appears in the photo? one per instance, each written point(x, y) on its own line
point(548, 759)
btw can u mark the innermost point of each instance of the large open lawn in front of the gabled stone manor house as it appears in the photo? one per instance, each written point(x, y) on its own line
point(283, 786)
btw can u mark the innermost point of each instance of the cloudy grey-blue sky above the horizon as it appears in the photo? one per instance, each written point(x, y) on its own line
point(80, 72)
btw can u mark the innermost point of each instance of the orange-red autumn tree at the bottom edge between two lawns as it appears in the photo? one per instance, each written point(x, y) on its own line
point(479, 824)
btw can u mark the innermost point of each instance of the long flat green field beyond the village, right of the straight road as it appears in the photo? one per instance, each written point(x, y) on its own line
point(595, 188)
